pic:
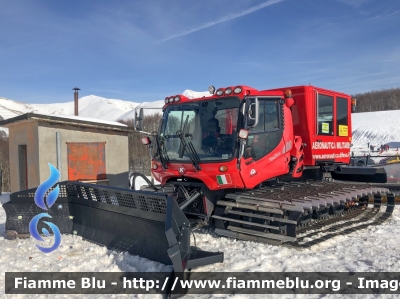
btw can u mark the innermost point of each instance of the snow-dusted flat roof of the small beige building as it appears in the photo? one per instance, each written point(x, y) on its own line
point(71, 120)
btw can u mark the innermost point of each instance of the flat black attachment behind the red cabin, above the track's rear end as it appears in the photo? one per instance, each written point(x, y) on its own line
point(359, 174)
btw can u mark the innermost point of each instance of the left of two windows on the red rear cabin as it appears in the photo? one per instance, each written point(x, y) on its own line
point(325, 115)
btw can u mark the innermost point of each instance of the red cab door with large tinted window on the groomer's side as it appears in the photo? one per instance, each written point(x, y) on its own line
point(264, 156)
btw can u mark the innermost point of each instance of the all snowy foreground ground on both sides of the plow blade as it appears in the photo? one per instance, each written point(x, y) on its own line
point(369, 250)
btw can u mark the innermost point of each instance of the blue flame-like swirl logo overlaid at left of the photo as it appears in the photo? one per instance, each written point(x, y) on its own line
point(50, 200)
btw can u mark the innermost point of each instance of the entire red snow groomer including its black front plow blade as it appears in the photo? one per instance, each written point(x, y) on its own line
point(262, 165)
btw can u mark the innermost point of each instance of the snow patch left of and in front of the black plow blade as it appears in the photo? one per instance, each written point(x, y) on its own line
point(73, 255)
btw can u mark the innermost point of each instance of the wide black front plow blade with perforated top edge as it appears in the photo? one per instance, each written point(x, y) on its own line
point(143, 223)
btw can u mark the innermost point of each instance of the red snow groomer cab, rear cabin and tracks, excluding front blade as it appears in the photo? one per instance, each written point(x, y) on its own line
point(261, 164)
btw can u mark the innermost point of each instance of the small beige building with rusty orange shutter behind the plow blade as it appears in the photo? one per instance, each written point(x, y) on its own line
point(82, 149)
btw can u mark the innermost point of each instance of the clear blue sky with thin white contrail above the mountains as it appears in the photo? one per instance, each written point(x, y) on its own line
point(147, 50)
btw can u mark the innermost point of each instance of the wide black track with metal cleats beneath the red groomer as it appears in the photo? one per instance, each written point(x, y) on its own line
point(319, 230)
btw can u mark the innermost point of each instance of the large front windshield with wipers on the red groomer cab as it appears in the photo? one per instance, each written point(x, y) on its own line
point(204, 129)
